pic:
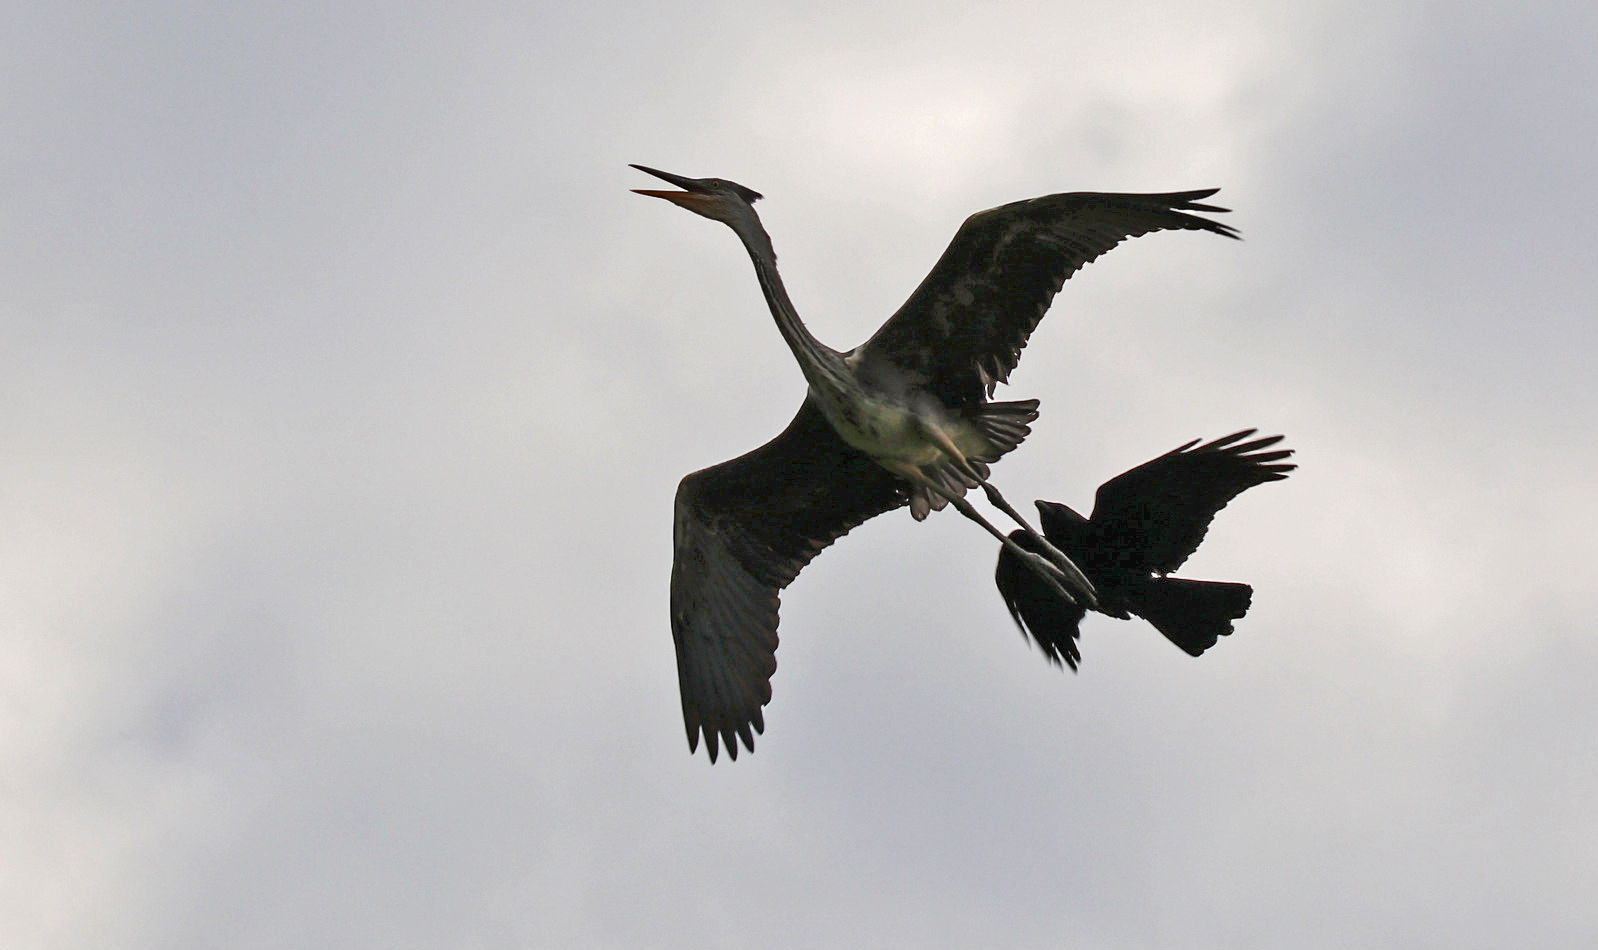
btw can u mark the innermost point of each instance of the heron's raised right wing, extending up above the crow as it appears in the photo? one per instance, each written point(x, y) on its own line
point(964, 327)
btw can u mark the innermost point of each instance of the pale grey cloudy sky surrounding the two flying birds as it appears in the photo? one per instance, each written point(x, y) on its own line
point(344, 389)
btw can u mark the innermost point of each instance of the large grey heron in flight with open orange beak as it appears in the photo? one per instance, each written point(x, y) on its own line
point(902, 420)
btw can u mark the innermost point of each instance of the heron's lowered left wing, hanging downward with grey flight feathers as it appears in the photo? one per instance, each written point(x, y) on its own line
point(742, 532)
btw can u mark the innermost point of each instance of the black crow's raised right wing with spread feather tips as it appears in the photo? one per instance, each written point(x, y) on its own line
point(1159, 513)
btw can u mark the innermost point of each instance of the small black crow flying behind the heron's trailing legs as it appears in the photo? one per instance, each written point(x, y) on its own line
point(1145, 524)
